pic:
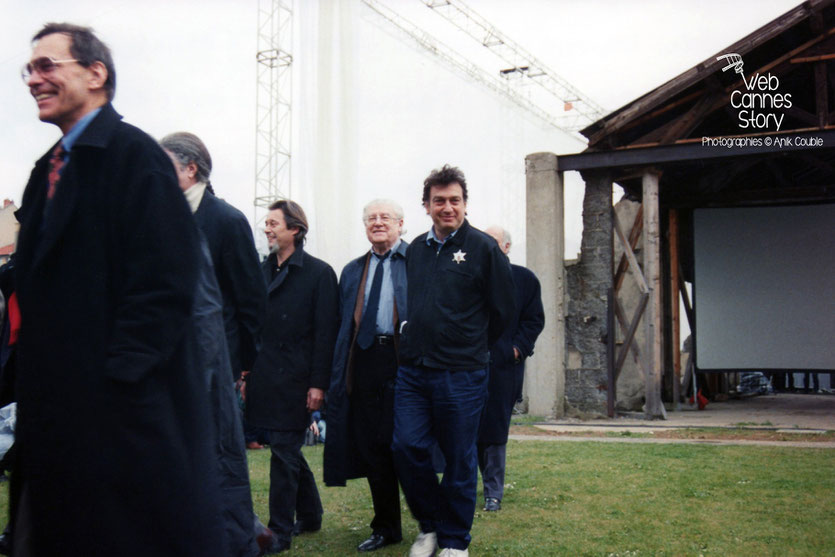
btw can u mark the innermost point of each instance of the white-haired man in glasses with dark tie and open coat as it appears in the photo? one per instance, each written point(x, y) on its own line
point(361, 395)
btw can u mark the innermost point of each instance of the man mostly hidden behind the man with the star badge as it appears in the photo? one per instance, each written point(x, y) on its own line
point(507, 372)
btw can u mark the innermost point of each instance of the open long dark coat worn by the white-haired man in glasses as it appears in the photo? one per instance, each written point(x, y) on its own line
point(340, 463)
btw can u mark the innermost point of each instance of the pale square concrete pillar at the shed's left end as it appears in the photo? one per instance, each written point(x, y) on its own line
point(545, 371)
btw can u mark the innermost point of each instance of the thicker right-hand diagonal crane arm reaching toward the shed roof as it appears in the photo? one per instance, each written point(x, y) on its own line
point(579, 110)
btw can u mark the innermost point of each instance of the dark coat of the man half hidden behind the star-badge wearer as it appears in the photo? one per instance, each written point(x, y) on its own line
point(506, 375)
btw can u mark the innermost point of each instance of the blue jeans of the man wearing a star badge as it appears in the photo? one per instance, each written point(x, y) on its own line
point(439, 407)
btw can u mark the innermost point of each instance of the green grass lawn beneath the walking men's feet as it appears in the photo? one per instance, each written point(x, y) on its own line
point(586, 498)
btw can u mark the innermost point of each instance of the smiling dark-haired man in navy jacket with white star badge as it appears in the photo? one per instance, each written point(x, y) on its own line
point(460, 297)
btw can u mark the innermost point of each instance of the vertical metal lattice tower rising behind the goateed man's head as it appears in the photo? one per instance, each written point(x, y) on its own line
point(273, 132)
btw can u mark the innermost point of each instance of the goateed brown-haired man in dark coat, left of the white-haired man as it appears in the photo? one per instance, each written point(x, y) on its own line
point(292, 370)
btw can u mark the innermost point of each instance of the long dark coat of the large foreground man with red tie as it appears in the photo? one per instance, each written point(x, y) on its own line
point(113, 447)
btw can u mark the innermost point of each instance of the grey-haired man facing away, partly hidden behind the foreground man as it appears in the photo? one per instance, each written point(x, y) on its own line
point(228, 316)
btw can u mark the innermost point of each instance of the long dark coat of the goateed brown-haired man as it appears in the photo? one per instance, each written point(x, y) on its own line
point(297, 346)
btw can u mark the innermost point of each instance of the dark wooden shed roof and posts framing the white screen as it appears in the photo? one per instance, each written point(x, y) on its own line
point(751, 126)
